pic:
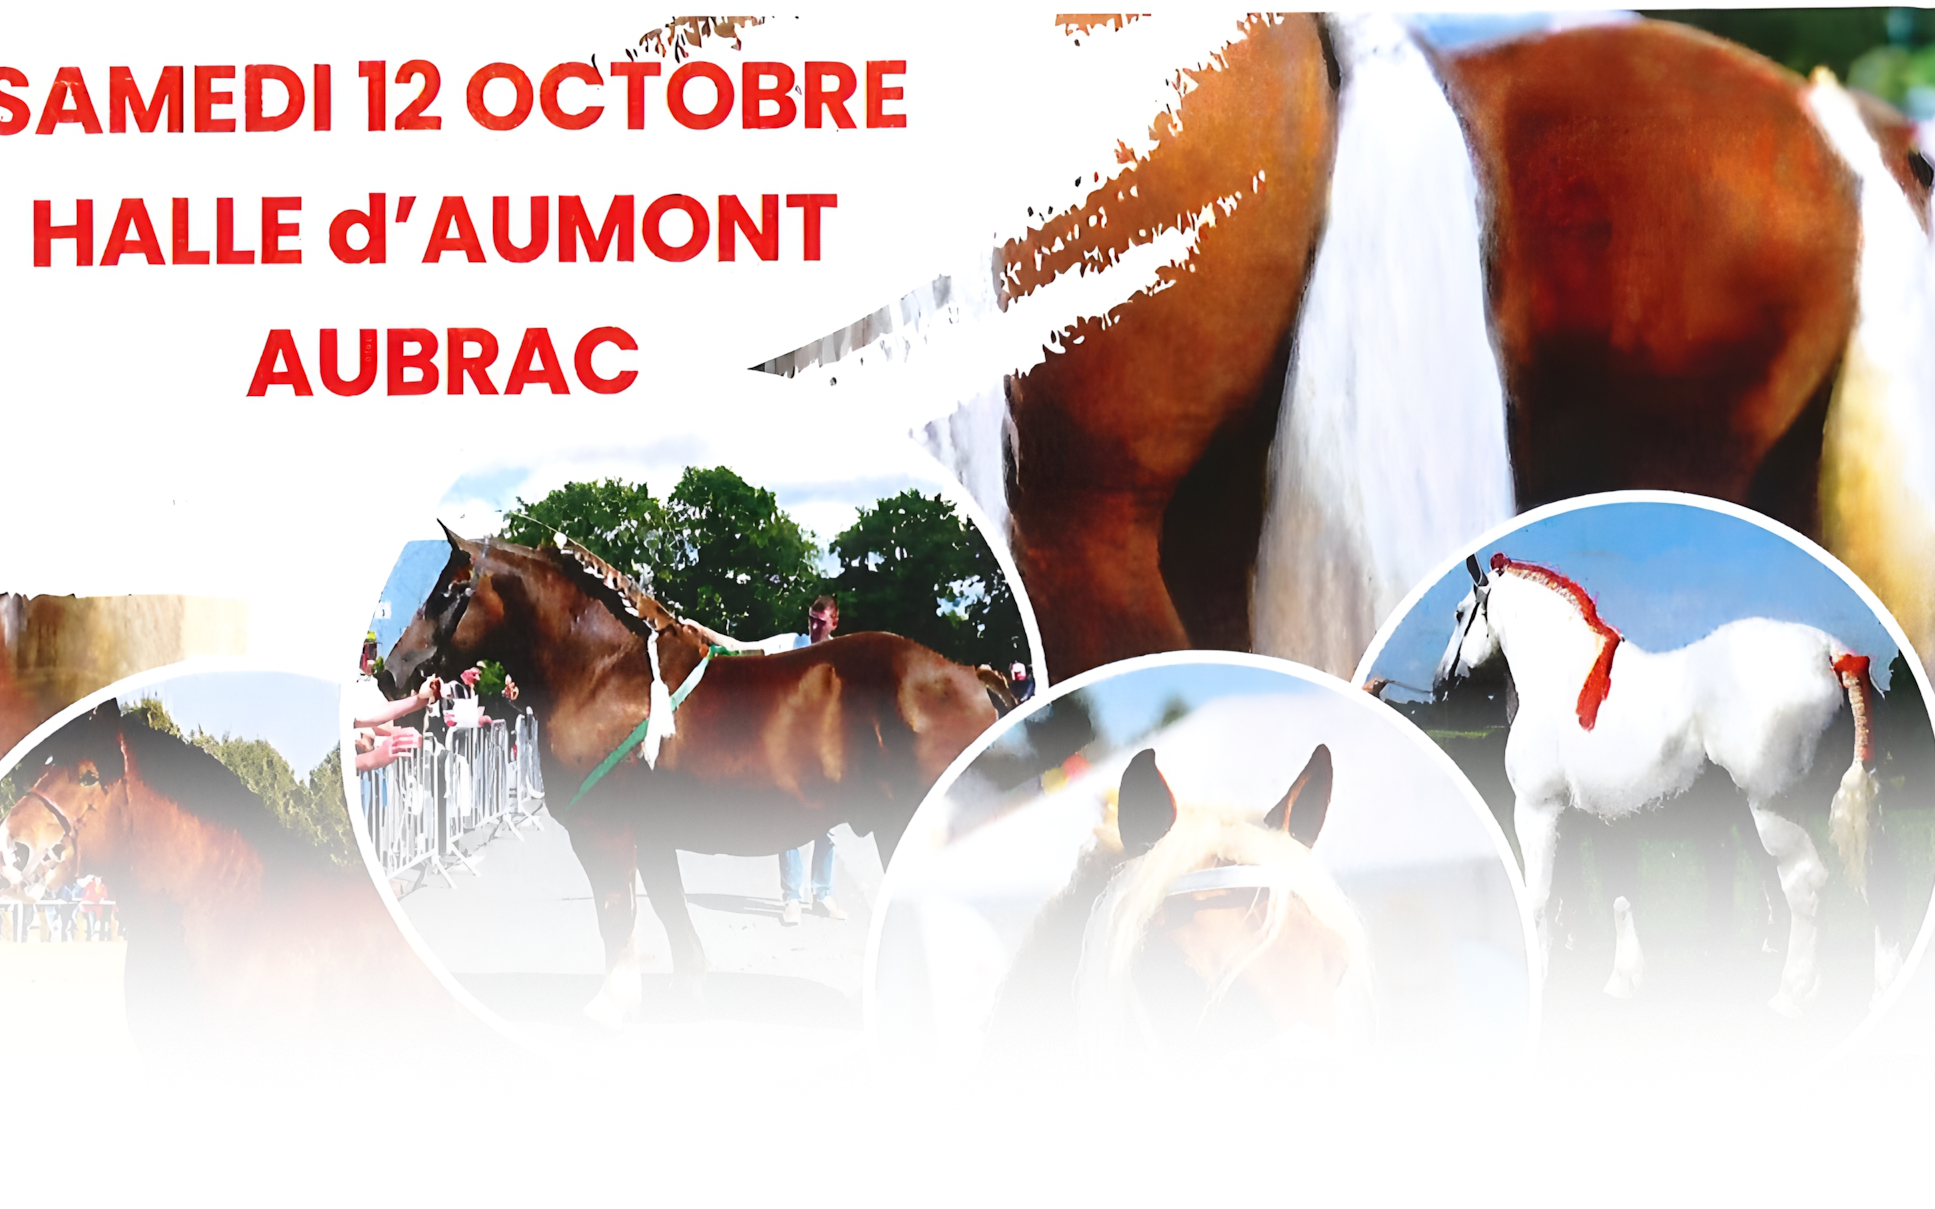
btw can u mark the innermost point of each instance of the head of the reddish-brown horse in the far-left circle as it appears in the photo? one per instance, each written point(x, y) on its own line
point(80, 782)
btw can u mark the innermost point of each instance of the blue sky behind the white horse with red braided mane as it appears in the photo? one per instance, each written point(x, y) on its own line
point(1663, 575)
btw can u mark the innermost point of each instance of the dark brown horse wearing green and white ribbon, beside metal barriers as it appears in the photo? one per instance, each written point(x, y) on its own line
point(769, 752)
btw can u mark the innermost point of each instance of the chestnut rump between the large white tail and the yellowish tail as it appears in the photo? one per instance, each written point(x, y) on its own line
point(1673, 262)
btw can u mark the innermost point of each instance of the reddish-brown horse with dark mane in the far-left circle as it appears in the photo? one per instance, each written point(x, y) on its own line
point(239, 933)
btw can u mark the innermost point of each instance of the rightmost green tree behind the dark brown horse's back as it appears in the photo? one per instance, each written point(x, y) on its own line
point(910, 566)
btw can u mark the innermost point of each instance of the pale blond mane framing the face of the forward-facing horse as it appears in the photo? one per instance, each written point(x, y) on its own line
point(1203, 839)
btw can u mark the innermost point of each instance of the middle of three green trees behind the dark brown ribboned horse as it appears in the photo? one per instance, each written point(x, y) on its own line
point(734, 560)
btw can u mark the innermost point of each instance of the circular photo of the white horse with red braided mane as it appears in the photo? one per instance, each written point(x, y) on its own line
point(1712, 748)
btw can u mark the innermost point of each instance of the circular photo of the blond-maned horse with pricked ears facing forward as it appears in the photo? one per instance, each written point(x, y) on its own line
point(1203, 858)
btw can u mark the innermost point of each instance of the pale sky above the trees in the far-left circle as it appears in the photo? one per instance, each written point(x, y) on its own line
point(295, 715)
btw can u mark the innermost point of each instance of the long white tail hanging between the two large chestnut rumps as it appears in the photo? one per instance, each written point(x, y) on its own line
point(1394, 314)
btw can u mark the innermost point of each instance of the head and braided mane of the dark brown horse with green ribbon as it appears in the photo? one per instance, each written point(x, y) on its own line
point(487, 583)
